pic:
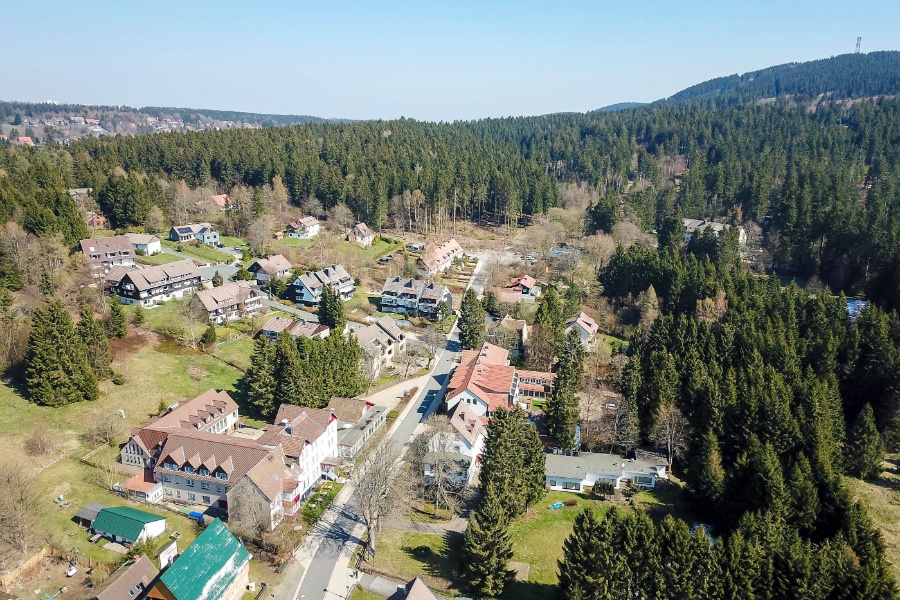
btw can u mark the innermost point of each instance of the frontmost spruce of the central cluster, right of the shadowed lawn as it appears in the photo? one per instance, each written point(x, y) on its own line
point(487, 548)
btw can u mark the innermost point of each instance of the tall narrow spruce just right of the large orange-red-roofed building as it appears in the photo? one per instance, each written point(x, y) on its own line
point(563, 410)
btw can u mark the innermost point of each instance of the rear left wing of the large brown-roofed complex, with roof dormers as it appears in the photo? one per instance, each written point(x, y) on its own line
point(210, 412)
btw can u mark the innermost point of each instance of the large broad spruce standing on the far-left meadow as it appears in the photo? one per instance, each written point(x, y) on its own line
point(57, 371)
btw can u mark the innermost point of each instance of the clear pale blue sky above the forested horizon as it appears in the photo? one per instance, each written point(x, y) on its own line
point(427, 60)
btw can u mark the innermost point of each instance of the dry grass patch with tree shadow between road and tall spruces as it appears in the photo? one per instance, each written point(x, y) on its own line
point(405, 555)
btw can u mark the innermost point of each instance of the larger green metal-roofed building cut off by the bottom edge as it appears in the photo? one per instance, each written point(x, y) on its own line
point(207, 567)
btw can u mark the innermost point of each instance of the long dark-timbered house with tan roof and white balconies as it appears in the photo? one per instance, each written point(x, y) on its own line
point(151, 286)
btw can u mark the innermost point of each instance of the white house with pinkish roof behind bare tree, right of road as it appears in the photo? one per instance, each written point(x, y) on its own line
point(461, 448)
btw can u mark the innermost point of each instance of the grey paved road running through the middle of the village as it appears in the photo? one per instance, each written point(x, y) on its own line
point(338, 532)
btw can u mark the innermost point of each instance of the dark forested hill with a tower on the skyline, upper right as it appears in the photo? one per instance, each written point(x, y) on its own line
point(844, 76)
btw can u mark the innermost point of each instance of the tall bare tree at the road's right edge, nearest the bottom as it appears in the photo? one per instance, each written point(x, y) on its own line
point(376, 486)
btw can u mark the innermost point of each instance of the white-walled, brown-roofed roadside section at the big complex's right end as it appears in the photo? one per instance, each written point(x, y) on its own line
point(309, 438)
